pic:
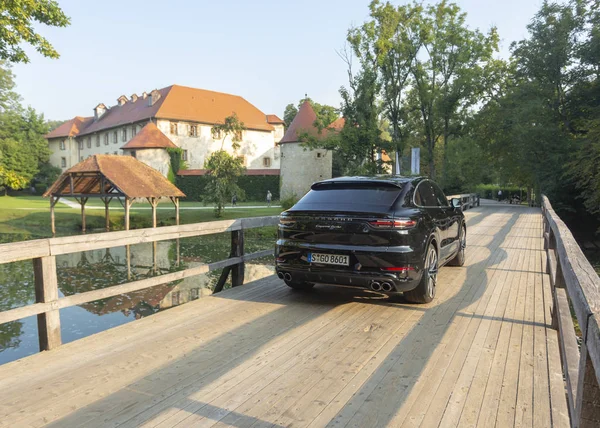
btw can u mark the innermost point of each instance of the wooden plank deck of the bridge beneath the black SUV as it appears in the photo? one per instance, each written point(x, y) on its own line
point(482, 354)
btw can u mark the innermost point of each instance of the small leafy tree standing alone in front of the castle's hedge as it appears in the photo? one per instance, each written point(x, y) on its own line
point(223, 172)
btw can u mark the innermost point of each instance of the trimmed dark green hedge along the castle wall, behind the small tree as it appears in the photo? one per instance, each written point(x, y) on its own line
point(255, 186)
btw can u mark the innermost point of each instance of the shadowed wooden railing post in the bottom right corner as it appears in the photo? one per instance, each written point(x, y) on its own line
point(587, 407)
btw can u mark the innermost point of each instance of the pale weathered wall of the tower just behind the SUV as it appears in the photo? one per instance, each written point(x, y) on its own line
point(301, 168)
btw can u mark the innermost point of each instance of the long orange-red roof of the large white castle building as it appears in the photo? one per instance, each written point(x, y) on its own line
point(178, 103)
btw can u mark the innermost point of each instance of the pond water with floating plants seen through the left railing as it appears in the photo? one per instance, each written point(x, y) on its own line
point(92, 270)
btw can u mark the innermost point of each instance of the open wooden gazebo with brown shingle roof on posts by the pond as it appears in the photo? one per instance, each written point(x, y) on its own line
point(111, 176)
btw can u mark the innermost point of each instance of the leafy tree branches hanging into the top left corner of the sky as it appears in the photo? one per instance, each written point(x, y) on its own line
point(18, 20)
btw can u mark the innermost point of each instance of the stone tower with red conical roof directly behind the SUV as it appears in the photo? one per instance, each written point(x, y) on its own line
point(301, 167)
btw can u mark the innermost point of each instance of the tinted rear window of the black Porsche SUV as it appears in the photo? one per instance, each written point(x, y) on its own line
point(357, 197)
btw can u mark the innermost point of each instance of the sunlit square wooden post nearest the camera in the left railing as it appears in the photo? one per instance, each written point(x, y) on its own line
point(46, 290)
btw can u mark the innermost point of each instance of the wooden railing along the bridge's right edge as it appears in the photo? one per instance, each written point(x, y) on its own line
point(574, 280)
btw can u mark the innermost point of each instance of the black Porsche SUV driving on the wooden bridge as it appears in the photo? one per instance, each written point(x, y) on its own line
point(388, 234)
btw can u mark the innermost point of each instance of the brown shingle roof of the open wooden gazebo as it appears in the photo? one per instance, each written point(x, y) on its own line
point(133, 178)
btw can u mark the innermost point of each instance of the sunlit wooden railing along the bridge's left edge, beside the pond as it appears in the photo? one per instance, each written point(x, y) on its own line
point(43, 252)
